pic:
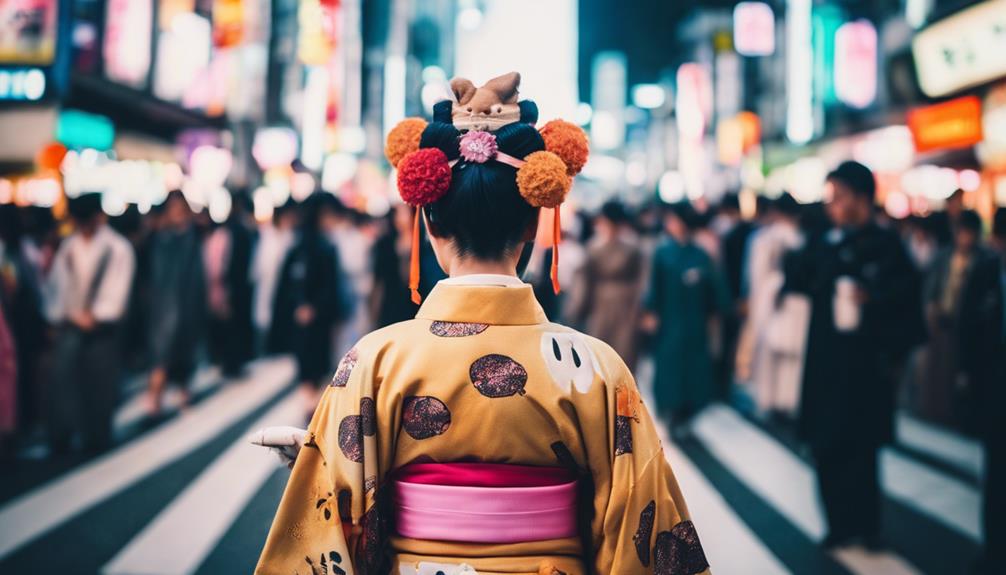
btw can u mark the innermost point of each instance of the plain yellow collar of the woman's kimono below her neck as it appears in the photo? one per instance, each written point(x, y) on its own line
point(496, 305)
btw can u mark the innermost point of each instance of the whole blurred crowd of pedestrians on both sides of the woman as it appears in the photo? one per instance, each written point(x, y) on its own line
point(825, 318)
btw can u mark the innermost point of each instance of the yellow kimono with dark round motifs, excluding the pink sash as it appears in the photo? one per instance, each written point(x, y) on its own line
point(480, 375)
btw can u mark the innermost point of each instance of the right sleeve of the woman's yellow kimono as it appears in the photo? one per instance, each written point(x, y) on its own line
point(645, 526)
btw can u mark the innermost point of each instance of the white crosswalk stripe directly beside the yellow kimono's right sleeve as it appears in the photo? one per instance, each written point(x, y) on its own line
point(730, 545)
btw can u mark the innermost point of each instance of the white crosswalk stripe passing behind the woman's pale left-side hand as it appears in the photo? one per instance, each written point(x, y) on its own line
point(184, 535)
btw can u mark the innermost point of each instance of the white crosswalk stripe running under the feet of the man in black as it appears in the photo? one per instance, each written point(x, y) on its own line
point(786, 482)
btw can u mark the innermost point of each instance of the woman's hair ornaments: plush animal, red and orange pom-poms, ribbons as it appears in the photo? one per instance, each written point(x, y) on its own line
point(544, 178)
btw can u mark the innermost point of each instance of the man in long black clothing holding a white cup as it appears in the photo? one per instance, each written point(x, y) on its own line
point(864, 321)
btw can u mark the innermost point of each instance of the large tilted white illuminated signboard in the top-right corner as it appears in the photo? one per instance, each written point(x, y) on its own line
point(964, 51)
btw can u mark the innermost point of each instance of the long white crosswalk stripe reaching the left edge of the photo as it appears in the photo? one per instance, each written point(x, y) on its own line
point(58, 501)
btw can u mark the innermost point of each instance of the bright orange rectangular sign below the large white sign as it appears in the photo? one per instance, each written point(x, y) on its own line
point(953, 124)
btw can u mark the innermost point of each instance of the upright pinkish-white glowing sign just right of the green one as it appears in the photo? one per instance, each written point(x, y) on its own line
point(857, 64)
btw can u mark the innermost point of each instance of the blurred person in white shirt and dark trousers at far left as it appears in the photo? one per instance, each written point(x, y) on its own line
point(87, 296)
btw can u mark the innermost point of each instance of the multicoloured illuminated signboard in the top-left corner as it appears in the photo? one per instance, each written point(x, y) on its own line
point(29, 32)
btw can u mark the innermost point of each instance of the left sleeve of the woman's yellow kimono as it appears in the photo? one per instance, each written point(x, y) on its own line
point(328, 519)
